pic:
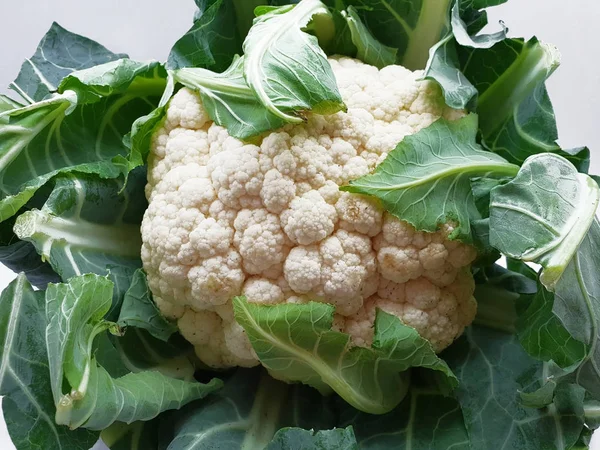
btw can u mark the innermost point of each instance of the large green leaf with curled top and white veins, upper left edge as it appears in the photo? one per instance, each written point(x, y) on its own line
point(65, 134)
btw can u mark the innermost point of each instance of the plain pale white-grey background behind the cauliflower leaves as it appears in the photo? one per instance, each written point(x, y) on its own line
point(145, 29)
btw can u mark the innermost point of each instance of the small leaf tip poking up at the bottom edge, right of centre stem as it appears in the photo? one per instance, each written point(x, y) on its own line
point(299, 439)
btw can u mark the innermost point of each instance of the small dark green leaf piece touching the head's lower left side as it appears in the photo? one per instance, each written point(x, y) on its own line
point(139, 310)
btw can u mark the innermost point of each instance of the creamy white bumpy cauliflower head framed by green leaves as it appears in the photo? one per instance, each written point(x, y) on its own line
point(269, 222)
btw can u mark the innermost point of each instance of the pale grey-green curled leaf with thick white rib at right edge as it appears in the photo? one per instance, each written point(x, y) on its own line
point(543, 214)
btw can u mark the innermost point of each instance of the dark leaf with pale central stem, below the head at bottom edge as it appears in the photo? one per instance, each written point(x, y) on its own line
point(246, 413)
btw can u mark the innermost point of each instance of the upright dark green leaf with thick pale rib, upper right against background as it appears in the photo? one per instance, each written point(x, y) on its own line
point(516, 115)
